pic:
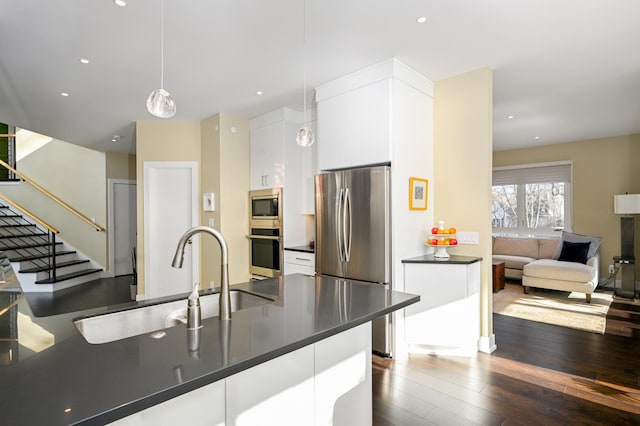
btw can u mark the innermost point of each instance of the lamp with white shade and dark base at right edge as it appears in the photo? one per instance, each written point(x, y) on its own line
point(626, 205)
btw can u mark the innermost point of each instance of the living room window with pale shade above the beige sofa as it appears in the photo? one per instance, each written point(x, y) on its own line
point(531, 199)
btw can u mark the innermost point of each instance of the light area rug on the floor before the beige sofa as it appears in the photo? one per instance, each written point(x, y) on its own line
point(554, 307)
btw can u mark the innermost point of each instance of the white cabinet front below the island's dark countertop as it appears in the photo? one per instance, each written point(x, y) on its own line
point(325, 383)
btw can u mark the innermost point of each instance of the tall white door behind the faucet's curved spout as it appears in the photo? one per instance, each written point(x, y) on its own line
point(170, 208)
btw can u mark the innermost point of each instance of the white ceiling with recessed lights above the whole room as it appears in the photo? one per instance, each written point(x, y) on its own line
point(565, 70)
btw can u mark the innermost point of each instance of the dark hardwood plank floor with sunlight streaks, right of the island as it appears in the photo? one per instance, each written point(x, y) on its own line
point(539, 375)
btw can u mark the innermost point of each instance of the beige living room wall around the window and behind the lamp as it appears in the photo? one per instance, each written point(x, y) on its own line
point(601, 169)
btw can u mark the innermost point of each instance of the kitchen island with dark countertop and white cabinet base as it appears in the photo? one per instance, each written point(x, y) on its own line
point(276, 353)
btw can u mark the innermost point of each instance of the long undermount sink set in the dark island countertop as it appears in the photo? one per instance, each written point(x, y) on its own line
point(116, 325)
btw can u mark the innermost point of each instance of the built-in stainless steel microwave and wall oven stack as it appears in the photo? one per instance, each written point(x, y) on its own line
point(265, 232)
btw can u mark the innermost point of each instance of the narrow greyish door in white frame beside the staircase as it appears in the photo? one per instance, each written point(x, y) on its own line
point(122, 223)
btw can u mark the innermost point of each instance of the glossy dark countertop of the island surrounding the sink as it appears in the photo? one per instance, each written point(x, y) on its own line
point(47, 367)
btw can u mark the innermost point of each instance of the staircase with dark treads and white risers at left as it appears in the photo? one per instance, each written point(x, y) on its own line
point(42, 263)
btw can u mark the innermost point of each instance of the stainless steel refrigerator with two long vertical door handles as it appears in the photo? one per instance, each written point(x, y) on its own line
point(353, 233)
